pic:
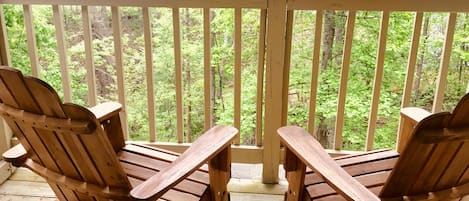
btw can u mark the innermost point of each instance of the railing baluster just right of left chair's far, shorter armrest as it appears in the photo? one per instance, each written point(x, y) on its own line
point(117, 34)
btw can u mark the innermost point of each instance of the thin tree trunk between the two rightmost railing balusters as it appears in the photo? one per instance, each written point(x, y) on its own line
point(419, 67)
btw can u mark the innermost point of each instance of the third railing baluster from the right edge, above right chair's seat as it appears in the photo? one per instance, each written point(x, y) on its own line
point(378, 80)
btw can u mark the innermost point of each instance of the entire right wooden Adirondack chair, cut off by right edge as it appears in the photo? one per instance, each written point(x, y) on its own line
point(434, 163)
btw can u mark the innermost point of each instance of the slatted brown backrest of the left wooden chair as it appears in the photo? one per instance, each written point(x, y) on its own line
point(78, 149)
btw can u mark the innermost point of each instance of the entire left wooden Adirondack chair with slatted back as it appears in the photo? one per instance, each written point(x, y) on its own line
point(83, 156)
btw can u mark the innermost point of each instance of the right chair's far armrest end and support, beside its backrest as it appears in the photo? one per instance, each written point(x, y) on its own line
point(410, 117)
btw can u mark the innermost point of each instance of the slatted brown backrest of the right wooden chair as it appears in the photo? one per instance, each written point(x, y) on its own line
point(435, 157)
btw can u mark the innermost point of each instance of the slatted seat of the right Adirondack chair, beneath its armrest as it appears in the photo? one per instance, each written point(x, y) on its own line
point(371, 169)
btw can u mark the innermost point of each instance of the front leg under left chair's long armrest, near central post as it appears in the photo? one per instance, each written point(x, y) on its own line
point(220, 174)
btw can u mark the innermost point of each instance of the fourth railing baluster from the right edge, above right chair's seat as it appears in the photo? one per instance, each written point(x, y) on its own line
point(339, 125)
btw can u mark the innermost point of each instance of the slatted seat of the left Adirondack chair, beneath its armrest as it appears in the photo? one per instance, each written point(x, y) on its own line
point(140, 162)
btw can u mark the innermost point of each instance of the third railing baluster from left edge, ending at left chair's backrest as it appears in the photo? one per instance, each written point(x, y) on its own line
point(61, 49)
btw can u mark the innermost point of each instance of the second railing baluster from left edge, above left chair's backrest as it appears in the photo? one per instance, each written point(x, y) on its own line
point(31, 38)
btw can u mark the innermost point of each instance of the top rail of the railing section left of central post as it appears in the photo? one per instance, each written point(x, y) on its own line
point(150, 3)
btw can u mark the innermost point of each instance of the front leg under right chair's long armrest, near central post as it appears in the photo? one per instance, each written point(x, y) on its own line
point(295, 172)
